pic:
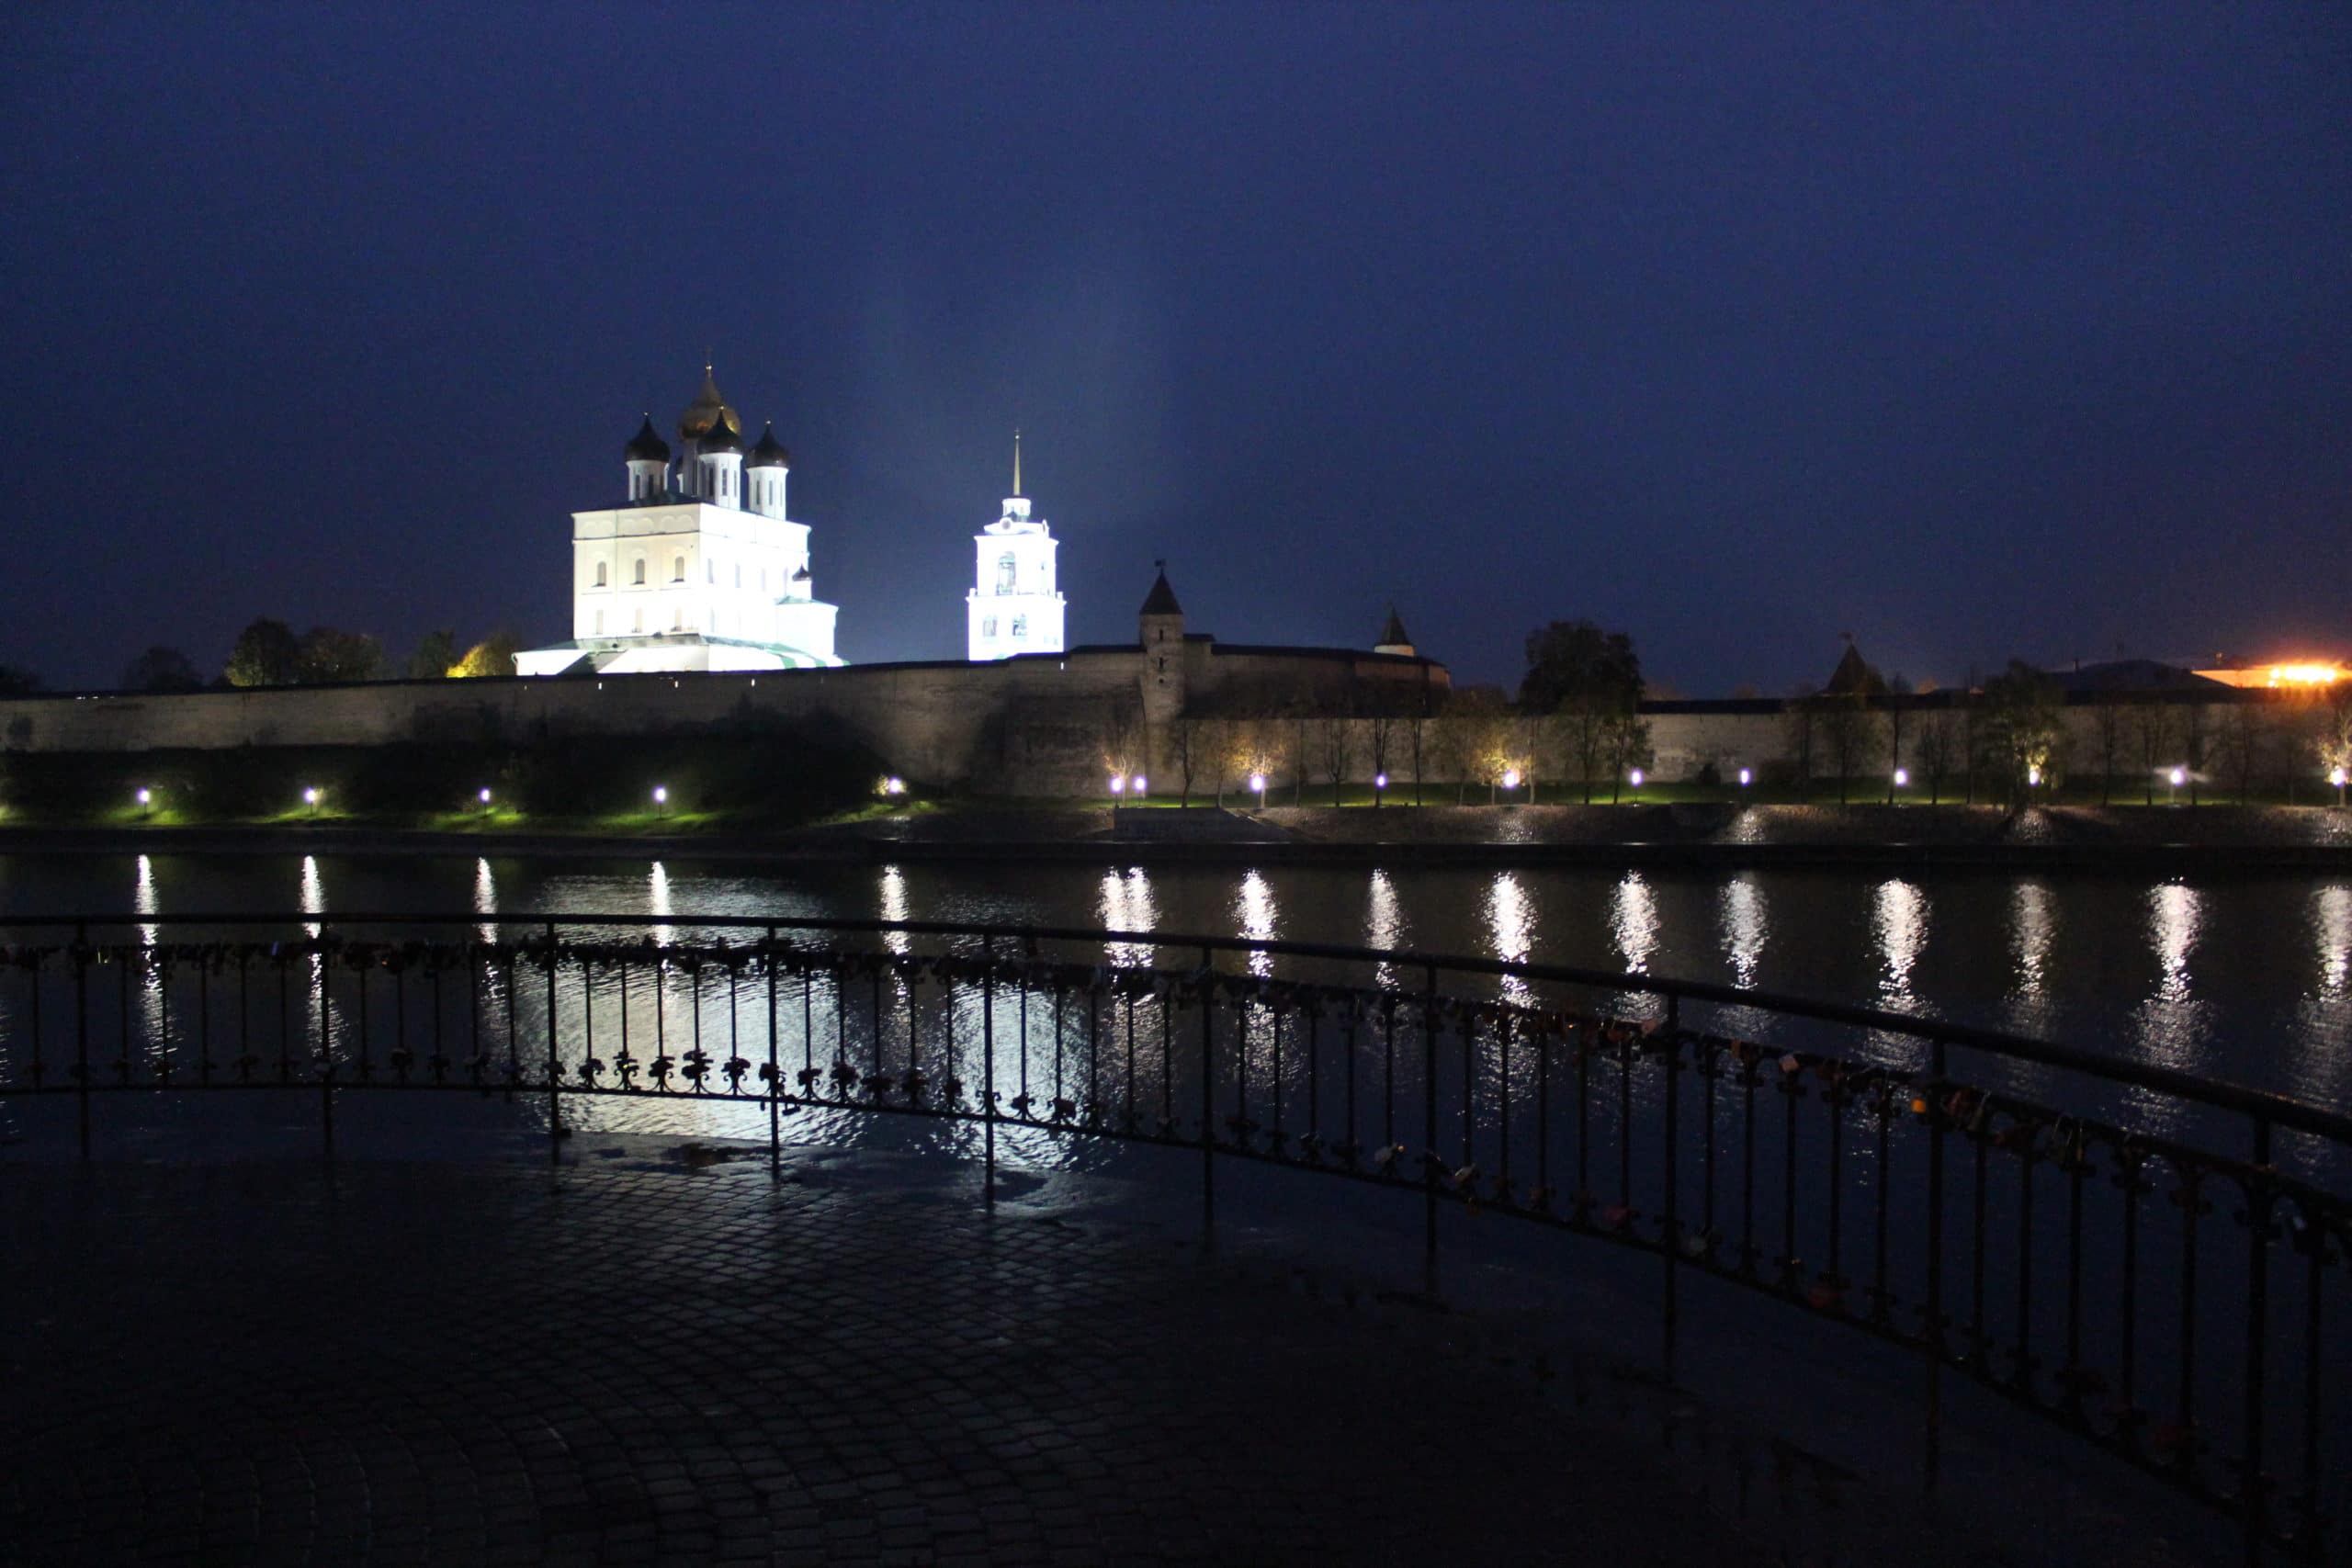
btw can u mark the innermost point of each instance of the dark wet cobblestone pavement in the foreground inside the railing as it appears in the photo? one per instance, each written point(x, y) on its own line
point(674, 1362)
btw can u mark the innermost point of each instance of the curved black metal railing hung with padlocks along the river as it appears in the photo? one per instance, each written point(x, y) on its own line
point(2054, 1245)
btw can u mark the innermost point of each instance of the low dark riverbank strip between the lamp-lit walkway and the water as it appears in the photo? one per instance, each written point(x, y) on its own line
point(1697, 836)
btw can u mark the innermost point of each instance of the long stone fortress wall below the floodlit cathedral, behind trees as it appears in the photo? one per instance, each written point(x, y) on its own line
point(1060, 725)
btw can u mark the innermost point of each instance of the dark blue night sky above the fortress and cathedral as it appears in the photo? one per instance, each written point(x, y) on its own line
point(1970, 330)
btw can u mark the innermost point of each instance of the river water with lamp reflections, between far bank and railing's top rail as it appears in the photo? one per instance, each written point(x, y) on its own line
point(2245, 979)
